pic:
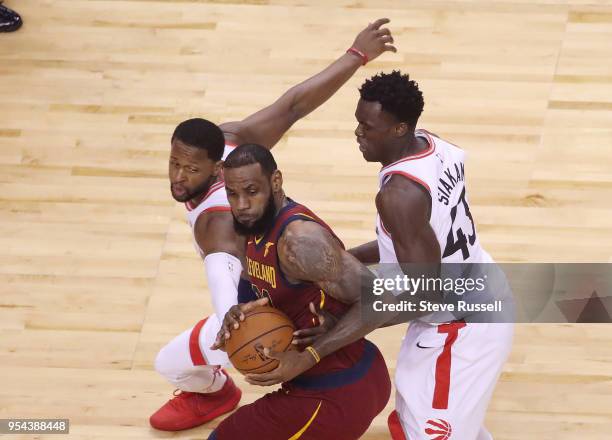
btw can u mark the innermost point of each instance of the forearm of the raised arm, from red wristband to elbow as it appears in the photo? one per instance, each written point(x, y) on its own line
point(313, 92)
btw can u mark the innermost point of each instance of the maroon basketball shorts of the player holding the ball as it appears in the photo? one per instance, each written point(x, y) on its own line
point(335, 406)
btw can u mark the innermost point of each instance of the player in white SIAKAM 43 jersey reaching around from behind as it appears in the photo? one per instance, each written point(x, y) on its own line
point(446, 372)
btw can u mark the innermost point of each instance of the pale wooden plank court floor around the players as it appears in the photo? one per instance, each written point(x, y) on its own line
point(97, 268)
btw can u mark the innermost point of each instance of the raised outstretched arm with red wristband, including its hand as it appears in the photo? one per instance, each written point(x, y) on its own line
point(268, 125)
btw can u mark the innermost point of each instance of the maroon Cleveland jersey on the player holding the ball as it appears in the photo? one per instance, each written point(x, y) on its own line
point(293, 299)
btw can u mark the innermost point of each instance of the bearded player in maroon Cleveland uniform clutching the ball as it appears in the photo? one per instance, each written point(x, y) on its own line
point(295, 259)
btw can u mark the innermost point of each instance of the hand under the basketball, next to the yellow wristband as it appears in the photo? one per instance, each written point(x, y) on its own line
point(292, 363)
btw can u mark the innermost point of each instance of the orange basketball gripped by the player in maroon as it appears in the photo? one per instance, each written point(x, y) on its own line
point(262, 327)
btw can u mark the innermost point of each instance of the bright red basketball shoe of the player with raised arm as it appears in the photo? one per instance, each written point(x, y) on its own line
point(188, 410)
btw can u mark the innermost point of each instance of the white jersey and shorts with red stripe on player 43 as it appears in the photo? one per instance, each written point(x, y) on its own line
point(445, 375)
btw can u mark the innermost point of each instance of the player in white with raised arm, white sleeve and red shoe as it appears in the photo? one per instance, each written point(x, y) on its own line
point(198, 147)
